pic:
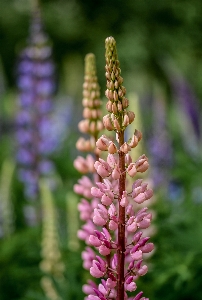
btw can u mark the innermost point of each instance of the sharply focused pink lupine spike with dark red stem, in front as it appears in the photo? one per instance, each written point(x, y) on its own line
point(121, 236)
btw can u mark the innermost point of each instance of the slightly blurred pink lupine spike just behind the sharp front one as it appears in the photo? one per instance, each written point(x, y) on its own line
point(91, 125)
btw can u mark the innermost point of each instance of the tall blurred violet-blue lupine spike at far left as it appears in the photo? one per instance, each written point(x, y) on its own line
point(36, 85)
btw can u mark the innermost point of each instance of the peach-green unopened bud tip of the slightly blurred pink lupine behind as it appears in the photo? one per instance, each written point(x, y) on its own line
point(92, 123)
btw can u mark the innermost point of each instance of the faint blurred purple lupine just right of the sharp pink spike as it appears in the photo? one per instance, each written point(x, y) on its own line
point(159, 142)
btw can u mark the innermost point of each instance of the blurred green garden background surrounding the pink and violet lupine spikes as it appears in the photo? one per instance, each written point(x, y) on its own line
point(160, 51)
